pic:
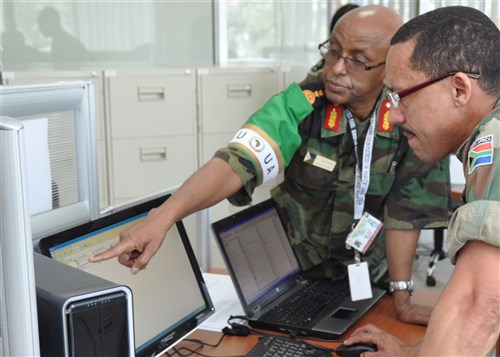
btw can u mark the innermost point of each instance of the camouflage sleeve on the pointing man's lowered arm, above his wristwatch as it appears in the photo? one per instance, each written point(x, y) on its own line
point(420, 197)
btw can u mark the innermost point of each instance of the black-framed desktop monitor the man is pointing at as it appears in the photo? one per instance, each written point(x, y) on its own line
point(170, 297)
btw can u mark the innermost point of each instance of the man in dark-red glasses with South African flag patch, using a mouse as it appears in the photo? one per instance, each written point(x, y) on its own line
point(449, 60)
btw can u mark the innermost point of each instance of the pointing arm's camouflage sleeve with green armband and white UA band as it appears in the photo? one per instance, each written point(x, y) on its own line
point(265, 144)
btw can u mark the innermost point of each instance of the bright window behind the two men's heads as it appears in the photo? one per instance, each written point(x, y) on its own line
point(289, 31)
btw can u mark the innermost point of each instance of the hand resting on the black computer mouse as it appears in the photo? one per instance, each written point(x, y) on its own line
point(387, 344)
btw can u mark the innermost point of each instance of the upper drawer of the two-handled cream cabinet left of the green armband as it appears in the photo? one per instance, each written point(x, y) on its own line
point(151, 104)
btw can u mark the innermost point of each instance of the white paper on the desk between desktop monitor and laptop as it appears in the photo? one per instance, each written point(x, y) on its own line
point(226, 302)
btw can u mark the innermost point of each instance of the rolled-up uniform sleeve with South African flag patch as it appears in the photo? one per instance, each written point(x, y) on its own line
point(479, 217)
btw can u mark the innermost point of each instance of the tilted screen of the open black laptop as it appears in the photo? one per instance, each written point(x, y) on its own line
point(256, 248)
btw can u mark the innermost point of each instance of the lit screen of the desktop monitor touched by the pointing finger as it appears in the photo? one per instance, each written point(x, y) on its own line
point(166, 294)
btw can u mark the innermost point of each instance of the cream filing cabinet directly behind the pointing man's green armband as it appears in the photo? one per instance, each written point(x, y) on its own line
point(227, 97)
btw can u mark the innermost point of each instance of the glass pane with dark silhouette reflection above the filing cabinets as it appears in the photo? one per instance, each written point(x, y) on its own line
point(74, 33)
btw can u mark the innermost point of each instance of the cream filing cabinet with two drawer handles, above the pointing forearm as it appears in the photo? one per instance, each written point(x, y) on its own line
point(152, 138)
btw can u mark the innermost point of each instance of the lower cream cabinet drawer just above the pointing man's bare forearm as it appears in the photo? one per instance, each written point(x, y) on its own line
point(142, 166)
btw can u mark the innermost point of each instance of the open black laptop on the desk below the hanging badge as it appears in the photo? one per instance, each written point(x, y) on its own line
point(270, 282)
